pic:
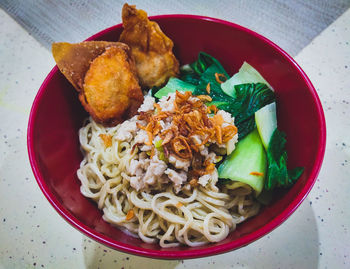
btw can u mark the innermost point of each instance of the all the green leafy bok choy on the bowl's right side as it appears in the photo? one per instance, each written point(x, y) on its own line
point(242, 96)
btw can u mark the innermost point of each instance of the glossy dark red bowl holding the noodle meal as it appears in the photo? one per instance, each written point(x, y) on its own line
point(57, 115)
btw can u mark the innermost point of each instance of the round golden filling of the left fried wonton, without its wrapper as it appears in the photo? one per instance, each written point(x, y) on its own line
point(111, 89)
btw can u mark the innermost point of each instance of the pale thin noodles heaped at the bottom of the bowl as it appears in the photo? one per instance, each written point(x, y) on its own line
point(171, 217)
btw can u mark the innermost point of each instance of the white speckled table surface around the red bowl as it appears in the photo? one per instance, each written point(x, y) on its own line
point(33, 235)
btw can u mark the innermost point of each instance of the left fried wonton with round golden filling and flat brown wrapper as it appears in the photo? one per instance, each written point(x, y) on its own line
point(104, 75)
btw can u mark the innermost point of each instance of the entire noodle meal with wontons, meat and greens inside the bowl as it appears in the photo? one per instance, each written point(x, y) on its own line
point(173, 156)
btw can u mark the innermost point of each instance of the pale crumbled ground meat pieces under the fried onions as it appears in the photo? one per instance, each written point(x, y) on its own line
point(146, 173)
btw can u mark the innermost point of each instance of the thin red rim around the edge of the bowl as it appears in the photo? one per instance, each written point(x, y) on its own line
point(190, 253)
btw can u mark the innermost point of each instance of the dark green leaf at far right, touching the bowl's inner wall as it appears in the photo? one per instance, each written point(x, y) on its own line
point(277, 172)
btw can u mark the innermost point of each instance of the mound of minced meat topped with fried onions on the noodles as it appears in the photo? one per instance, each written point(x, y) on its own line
point(178, 140)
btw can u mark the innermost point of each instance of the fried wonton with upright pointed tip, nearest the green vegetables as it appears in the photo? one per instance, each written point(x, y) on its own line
point(151, 48)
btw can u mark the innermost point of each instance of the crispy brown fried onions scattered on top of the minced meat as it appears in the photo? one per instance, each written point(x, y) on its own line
point(190, 118)
